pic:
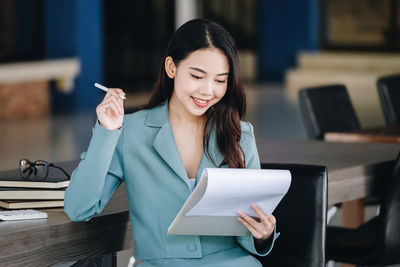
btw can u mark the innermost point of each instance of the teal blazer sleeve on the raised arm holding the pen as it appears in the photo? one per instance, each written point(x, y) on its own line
point(97, 176)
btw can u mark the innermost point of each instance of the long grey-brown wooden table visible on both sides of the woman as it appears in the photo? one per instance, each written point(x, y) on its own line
point(353, 170)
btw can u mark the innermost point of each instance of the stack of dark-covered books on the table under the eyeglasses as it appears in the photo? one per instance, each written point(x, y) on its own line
point(17, 193)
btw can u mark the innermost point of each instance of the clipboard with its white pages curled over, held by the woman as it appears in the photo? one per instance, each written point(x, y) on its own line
point(221, 192)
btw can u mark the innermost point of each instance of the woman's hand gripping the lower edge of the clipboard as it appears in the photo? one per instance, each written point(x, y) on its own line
point(261, 229)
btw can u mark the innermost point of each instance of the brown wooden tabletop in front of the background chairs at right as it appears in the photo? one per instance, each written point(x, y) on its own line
point(382, 134)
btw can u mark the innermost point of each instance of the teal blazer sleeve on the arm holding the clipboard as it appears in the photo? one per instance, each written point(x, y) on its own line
point(253, 162)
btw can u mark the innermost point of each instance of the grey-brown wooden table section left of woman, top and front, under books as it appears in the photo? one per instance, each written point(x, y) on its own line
point(57, 239)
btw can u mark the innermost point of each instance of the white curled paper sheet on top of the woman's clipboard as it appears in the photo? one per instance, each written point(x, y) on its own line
point(231, 190)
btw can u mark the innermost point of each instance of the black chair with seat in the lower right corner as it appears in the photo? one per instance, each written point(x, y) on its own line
point(376, 242)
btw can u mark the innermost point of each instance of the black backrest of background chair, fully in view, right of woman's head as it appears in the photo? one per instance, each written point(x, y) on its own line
point(327, 109)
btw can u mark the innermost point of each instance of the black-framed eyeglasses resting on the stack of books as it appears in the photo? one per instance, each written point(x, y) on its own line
point(39, 168)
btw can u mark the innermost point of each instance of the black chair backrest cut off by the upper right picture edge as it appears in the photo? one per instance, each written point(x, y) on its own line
point(389, 95)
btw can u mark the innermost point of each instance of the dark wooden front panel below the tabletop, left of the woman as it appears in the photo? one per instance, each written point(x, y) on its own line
point(67, 242)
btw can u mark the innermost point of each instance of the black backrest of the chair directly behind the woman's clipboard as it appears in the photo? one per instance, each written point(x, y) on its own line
point(301, 219)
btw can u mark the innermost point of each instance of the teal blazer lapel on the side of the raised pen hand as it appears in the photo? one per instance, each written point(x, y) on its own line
point(164, 141)
